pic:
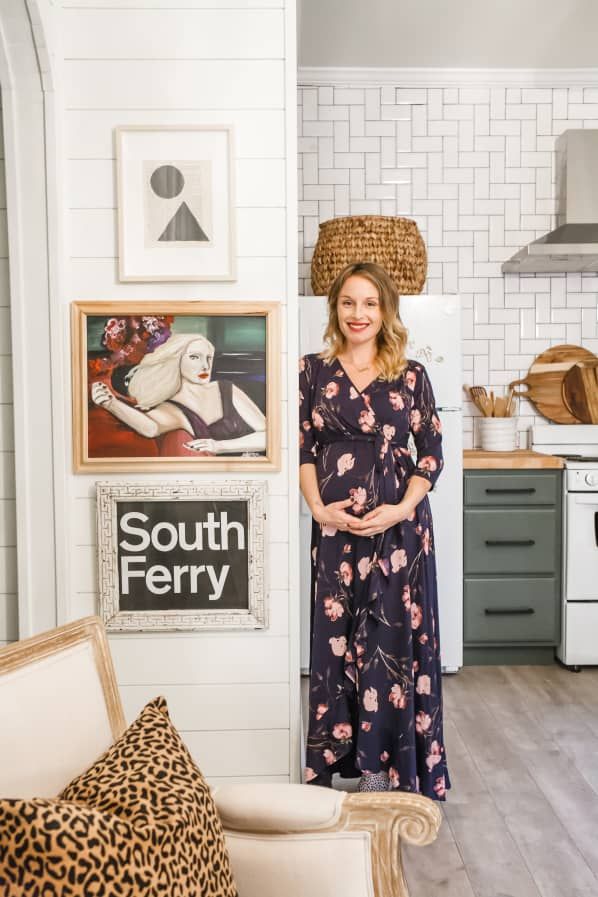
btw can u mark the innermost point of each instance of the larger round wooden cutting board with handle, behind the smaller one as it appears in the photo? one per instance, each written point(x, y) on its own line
point(544, 381)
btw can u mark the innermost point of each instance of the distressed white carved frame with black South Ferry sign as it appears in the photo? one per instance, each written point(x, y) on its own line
point(146, 511)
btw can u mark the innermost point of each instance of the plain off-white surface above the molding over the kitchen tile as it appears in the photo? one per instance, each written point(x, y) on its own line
point(452, 33)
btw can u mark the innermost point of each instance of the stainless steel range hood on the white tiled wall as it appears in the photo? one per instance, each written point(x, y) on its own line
point(573, 245)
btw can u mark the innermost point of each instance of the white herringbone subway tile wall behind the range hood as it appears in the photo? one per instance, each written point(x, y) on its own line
point(474, 166)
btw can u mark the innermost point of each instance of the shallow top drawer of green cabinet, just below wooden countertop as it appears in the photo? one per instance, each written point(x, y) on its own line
point(512, 489)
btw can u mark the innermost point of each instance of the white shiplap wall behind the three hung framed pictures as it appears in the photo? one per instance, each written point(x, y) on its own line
point(231, 694)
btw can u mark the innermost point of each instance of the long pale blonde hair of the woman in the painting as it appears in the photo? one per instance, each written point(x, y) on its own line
point(157, 377)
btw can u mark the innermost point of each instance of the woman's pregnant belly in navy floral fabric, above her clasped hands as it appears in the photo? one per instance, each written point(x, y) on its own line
point(344, 473)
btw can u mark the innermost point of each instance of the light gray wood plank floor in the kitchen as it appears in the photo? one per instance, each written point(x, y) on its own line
point(521, 818)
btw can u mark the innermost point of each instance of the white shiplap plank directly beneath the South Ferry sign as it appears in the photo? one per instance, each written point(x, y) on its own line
point(200, 659)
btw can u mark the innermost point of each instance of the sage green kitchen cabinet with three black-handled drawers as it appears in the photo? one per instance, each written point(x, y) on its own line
point(512, 565)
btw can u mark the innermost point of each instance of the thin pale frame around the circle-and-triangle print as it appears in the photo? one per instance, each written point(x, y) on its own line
point(121, 133)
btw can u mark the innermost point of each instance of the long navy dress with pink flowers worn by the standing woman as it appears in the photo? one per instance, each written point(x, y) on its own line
point(375, 687)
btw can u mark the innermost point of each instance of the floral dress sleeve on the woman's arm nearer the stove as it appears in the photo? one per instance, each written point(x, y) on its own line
point(426, 427)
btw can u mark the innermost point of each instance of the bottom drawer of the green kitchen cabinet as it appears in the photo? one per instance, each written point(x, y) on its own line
point(510, 610)
